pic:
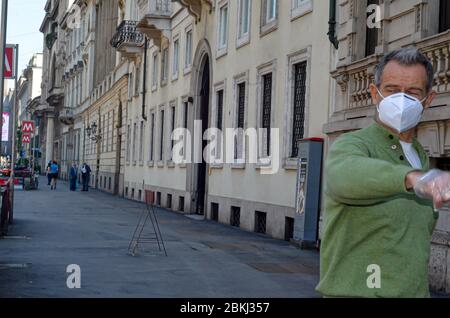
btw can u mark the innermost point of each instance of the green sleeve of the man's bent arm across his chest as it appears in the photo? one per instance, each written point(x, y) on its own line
point(354, 178)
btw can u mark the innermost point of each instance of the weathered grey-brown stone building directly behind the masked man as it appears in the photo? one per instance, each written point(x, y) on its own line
point(424, 24)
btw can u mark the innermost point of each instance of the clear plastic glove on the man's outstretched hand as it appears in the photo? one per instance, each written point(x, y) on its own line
point(435, 186)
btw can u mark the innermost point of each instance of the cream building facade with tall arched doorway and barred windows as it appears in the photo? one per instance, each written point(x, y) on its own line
point(231, 64)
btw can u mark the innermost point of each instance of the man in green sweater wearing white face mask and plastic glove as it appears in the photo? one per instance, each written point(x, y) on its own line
point(381, 200)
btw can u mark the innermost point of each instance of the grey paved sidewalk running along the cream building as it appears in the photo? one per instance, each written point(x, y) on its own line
point(56, 228)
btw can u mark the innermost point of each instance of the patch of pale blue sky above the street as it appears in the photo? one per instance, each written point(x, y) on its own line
point(24, 20)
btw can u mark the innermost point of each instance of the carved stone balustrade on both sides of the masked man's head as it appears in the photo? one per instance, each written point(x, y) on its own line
point(353, 103)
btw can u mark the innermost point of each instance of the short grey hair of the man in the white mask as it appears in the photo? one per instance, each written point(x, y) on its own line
point(408, 57)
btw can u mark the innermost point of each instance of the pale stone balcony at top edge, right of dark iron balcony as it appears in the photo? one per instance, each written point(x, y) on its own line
point(154, 19)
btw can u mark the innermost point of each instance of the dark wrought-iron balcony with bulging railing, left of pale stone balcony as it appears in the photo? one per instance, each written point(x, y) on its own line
point(127, 39)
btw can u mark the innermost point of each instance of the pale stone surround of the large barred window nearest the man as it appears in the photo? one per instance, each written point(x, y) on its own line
point(293, 59)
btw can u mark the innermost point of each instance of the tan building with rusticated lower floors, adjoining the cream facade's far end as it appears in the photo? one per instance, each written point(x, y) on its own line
point(102, 119)
